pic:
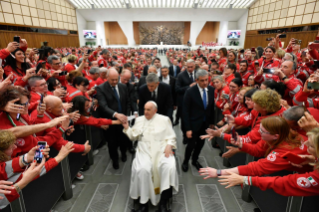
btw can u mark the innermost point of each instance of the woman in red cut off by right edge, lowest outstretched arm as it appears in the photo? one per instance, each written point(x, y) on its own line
point(306, 184)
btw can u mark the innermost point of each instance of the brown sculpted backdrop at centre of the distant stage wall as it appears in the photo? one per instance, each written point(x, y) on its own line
point(153, 33)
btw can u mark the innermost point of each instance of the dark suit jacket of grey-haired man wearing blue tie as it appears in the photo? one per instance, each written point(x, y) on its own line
point(193, 109)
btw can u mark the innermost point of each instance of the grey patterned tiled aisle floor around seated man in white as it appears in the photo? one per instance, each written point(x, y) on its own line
point(106, 190)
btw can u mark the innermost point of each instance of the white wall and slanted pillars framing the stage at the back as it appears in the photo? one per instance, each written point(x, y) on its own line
point(198, 17)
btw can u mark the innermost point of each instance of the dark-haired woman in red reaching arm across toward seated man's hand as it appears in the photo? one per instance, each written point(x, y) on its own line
point(83, 105)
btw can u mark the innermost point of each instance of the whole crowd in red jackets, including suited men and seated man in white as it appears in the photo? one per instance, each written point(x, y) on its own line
point(271, 92)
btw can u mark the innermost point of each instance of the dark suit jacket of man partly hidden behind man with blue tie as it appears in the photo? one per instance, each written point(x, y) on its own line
point(182, 84)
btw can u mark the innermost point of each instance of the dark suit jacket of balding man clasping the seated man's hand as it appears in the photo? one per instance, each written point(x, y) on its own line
point(107, 100)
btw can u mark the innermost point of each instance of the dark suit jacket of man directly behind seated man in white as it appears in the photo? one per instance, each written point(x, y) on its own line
point(164, 99)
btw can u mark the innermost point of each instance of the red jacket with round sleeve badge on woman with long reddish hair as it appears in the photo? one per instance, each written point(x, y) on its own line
point(274, 162)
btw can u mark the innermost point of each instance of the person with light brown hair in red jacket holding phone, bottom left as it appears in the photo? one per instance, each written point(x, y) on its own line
point(14, 170)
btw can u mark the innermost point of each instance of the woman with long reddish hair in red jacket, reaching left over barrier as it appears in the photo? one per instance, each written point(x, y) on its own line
point(276, 141)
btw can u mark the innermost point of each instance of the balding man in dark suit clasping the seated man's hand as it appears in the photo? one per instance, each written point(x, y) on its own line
point(114, 104)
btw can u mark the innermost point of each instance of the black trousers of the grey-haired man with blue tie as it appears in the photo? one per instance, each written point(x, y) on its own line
point(195, 145)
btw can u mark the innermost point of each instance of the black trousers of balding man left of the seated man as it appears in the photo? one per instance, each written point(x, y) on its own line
point(116, 138)
